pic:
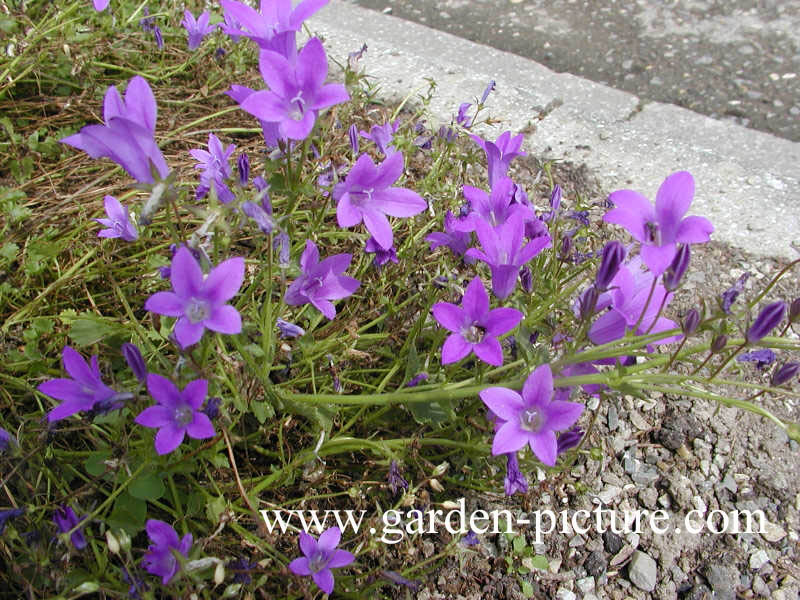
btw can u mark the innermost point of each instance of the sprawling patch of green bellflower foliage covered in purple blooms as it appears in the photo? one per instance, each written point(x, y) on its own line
point(315, 330)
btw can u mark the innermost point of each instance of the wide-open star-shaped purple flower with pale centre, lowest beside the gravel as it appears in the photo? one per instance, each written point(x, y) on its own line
point(531, 418)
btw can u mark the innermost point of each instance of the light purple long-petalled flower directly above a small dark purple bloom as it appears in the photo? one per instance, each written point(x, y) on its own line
point(365, 195)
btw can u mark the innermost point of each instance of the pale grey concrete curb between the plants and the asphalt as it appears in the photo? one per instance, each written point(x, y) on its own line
point(746, 180)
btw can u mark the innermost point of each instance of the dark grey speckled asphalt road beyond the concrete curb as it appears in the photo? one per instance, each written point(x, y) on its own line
point(728, 59)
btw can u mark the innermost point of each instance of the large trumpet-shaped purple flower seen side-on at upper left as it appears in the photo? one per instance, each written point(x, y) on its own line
point(127, 136)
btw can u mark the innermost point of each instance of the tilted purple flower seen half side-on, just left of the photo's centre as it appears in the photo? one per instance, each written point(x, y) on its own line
point(321, 282)
